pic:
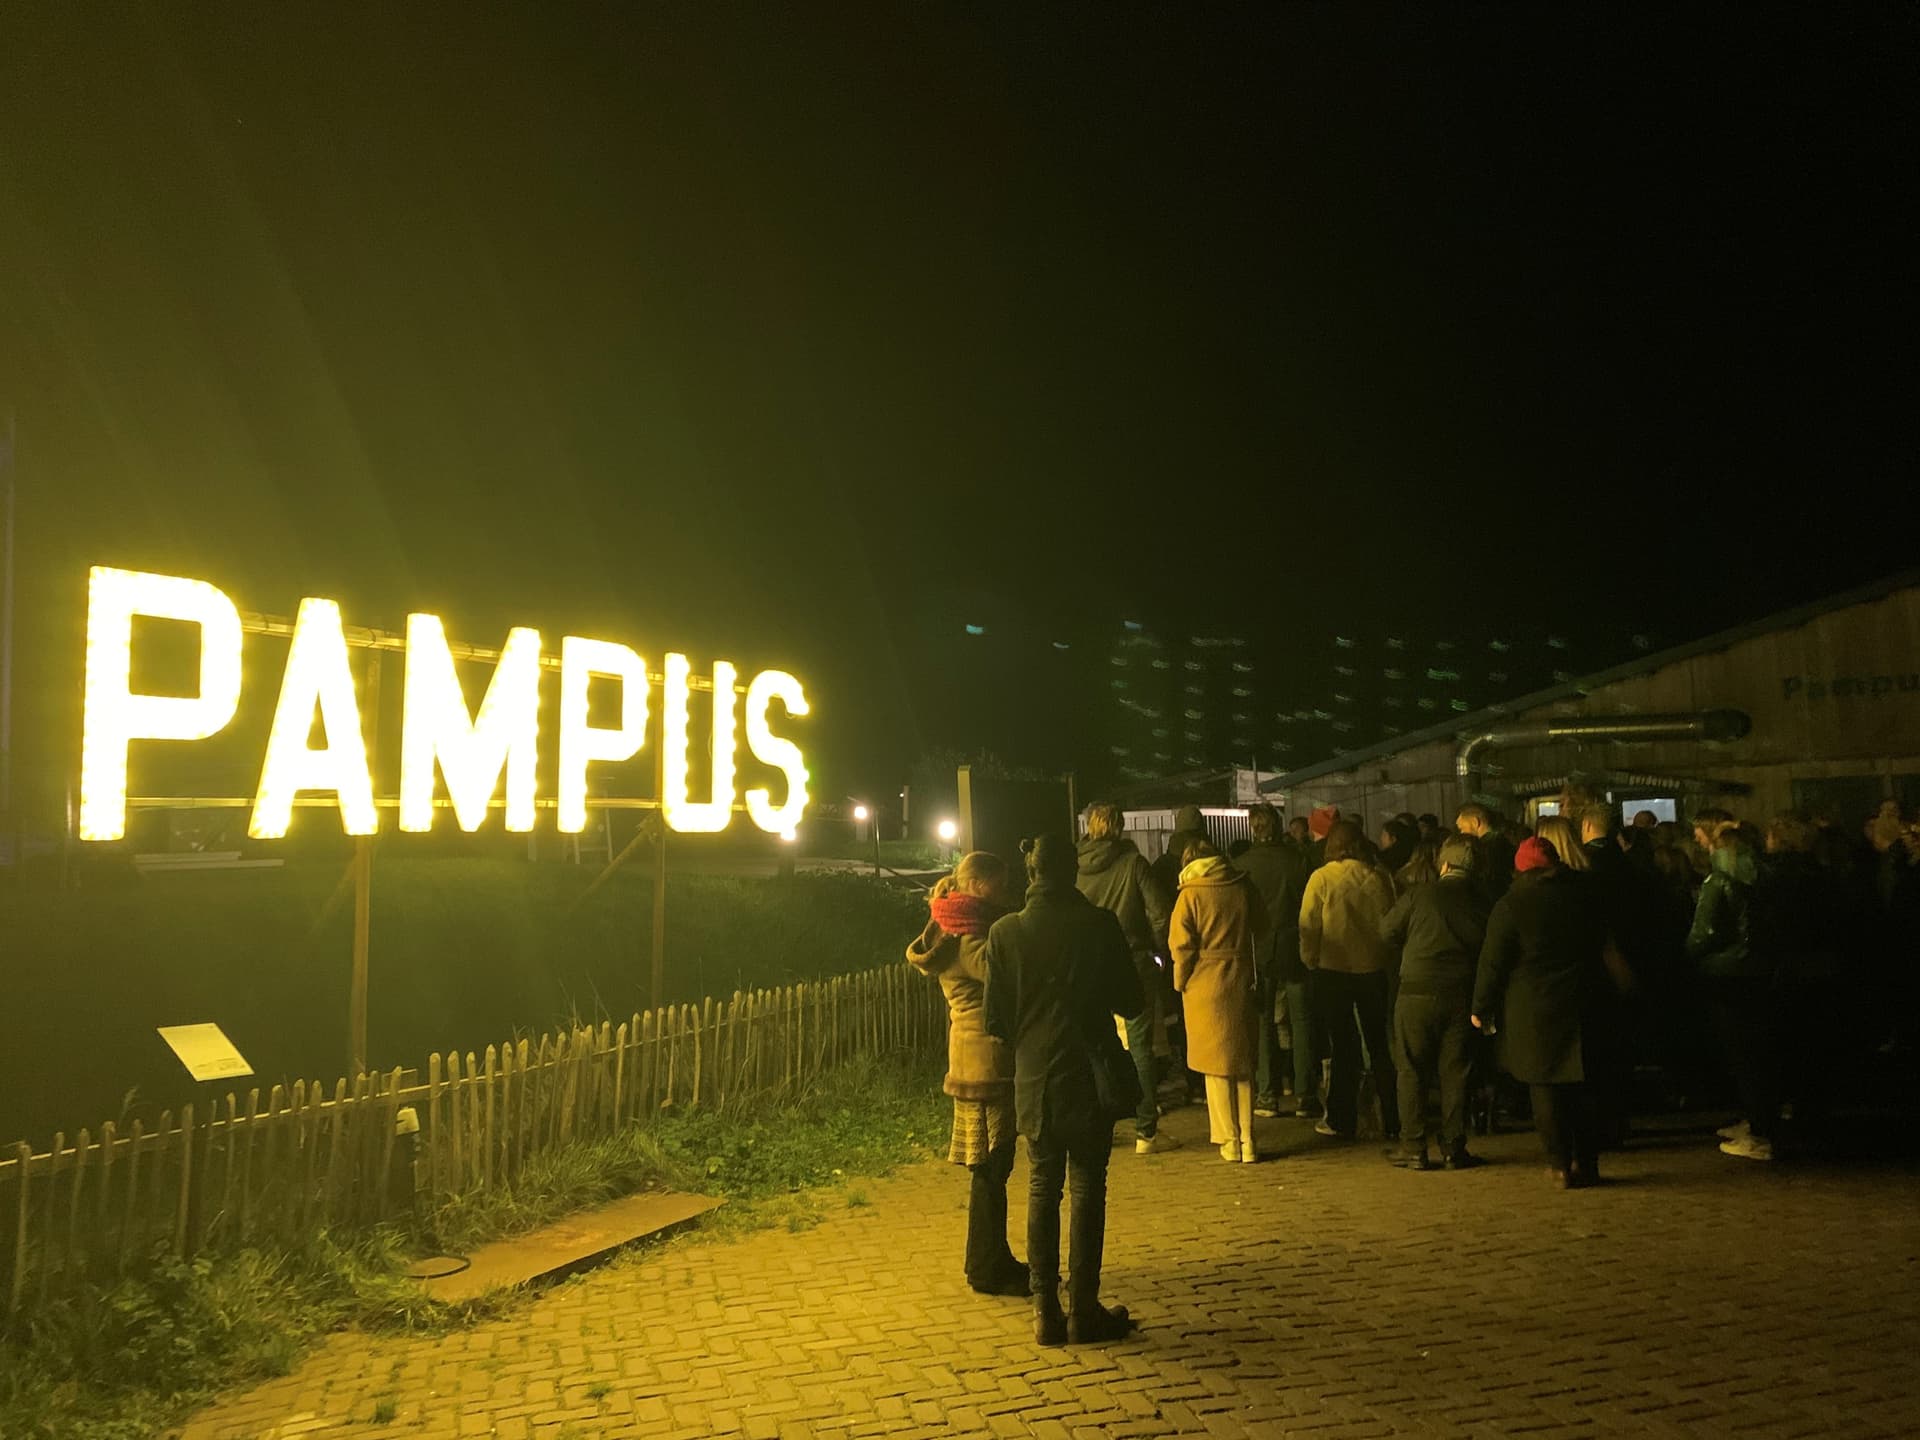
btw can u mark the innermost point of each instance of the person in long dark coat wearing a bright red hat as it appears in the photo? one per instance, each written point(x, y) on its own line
point(1541, 976)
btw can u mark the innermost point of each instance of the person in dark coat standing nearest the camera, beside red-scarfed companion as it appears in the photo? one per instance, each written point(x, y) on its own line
point(1059, 972)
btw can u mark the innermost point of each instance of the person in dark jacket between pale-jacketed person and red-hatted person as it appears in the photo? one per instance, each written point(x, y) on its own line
point(1439, 930)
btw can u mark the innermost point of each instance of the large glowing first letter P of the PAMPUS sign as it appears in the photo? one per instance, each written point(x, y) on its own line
point(112, 715)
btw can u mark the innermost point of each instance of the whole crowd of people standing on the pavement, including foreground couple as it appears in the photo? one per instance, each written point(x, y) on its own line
point(1282, 974)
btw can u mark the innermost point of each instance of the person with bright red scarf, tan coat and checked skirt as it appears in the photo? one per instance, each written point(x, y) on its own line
point(980, 1070)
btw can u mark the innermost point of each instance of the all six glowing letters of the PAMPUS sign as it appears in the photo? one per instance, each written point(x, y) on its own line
point(471, 754)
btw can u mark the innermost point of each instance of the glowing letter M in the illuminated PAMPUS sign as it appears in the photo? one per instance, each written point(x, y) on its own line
point(471, 752)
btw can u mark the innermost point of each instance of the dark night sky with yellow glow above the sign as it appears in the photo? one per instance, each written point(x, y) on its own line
point(813, 335)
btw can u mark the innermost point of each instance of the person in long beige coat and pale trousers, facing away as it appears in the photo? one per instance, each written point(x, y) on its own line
point(1218, 919)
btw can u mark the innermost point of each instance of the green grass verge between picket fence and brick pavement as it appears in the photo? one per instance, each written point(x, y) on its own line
point(126, 1360)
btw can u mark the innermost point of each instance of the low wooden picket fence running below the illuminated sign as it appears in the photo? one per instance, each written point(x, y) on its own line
point(279, 1166)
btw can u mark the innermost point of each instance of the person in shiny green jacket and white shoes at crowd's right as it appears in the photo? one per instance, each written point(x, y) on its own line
point(1739, 992)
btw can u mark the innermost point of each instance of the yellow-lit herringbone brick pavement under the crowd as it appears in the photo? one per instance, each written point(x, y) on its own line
point(1316, 1295)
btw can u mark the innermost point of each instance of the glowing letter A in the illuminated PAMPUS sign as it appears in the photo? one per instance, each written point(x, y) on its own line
point(318, 675)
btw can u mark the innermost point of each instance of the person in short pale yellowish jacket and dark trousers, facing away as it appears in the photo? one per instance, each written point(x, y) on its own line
point(1341, 942)
